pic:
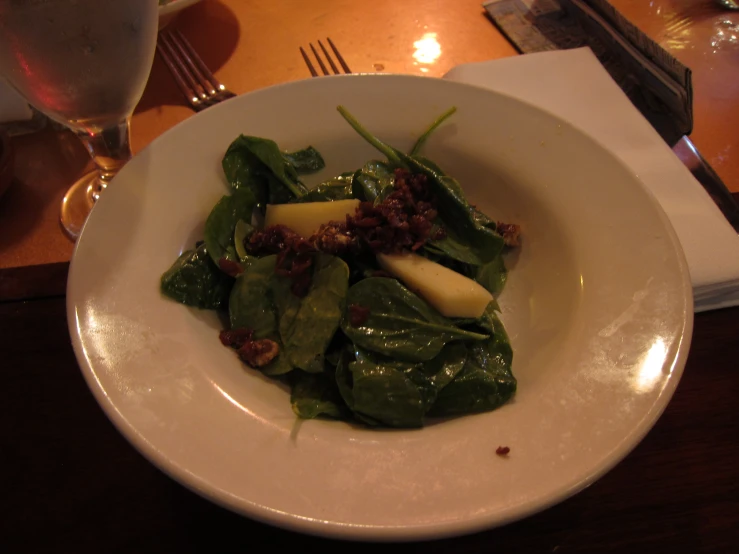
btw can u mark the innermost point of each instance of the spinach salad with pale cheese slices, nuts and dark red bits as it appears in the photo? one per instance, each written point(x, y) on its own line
point(339, 311)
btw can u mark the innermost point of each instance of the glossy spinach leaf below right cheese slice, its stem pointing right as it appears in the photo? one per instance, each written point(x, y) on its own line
point(400, 324)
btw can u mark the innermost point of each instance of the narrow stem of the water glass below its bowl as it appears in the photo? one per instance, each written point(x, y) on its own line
point(110, 149)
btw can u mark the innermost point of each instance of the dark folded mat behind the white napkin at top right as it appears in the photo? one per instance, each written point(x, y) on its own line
point(655, 82)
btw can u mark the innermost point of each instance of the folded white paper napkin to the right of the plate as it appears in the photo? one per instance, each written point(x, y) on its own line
point(574, 85)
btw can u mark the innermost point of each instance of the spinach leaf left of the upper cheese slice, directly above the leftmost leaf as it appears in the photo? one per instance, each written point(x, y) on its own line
point(221, 223)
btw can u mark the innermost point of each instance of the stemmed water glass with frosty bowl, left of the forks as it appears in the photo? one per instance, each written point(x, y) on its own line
point(84, 64)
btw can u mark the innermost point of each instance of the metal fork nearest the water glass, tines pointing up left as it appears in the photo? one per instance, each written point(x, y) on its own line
point(195, 80)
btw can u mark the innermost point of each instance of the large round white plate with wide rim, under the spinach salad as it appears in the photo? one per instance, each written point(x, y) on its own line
point(598, 308)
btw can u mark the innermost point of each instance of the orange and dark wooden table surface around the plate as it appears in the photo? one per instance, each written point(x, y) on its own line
point(73, 483)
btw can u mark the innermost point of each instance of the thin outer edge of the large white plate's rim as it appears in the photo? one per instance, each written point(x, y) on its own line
point(383, 533)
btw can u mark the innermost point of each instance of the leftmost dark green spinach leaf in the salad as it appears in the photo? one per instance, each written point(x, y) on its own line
point(196, 281)
